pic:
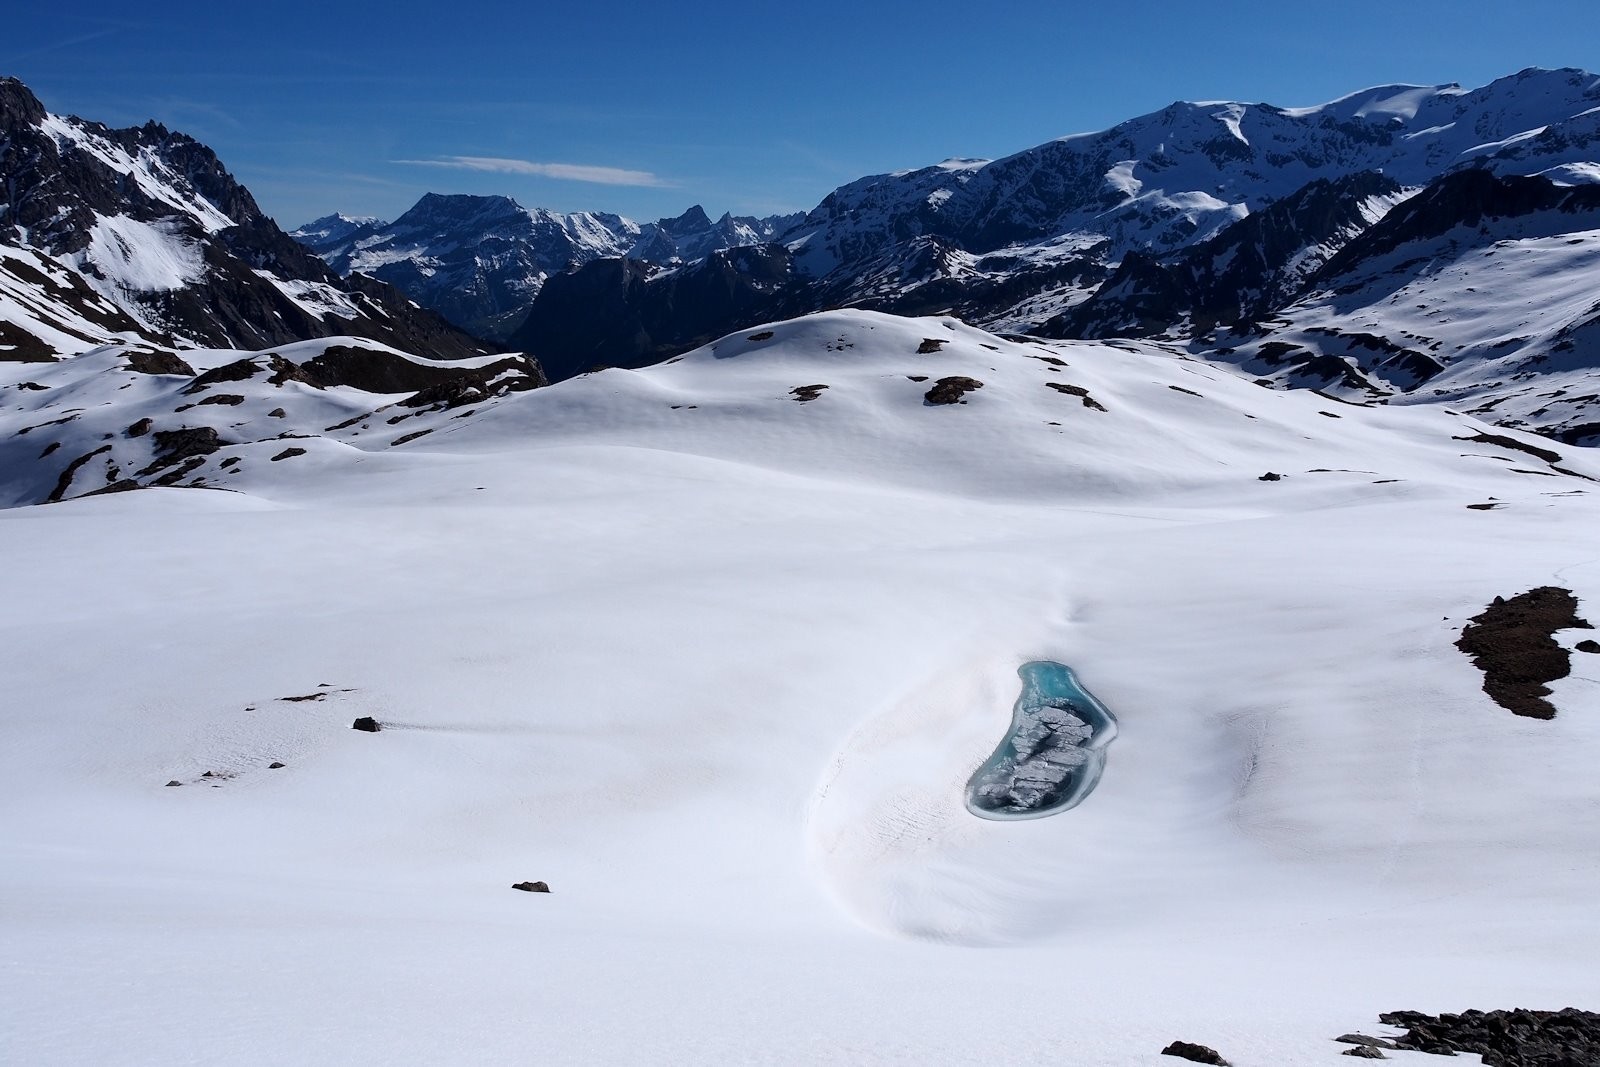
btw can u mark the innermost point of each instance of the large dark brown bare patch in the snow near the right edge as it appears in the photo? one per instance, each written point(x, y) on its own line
point(1511, 642)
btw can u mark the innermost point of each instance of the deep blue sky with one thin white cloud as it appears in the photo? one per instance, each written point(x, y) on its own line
point(746, 106)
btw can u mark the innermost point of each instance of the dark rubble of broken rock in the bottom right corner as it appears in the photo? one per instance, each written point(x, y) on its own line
point(1505, 1039)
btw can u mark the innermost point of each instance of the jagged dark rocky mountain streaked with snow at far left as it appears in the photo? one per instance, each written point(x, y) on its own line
point(143, 236)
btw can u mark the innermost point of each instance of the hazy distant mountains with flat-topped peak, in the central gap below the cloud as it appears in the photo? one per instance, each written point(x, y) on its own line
point(481, 262)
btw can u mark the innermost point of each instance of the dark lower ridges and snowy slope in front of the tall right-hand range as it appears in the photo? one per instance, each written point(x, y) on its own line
point(1479, 290)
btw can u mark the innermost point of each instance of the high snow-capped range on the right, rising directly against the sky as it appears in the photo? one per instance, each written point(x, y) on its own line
point(1183, 174)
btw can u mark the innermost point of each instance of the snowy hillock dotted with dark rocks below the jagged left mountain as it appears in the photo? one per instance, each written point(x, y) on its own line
point(122, 418)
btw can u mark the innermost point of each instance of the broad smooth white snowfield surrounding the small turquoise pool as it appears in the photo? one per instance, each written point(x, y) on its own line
point(718, 663)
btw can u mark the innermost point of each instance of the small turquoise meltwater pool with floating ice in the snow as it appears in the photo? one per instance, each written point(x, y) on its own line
point(1055, 753)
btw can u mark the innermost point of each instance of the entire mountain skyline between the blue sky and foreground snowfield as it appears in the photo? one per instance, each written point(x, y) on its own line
point(1404, 244)
